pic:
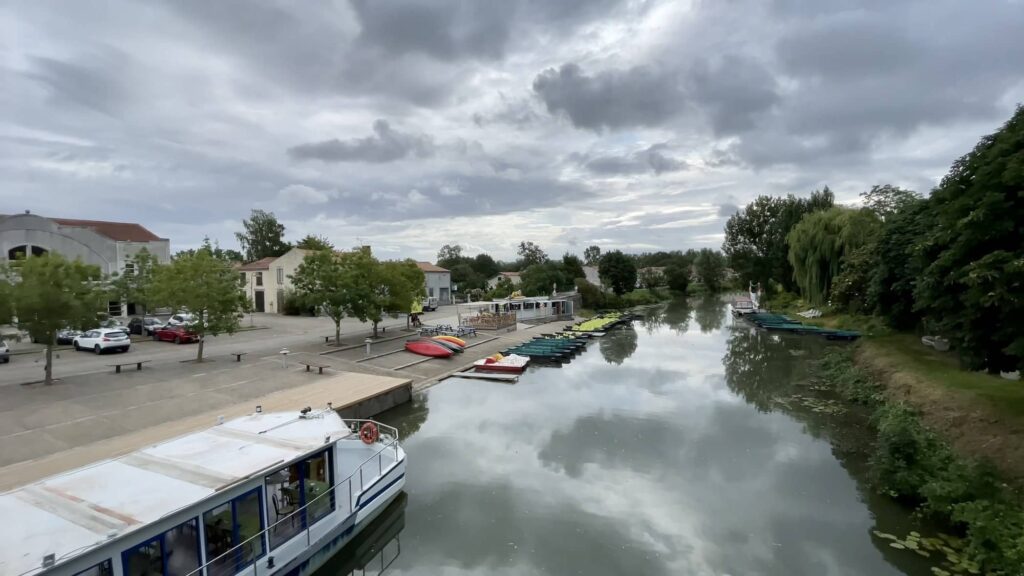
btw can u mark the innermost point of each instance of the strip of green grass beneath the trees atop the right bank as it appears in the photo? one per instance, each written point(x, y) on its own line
point(908, 354)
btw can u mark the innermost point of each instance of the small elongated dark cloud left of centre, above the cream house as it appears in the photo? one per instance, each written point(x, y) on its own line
point(387, 145)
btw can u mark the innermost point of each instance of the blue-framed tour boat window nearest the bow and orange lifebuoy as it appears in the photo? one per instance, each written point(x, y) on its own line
point(302, 495)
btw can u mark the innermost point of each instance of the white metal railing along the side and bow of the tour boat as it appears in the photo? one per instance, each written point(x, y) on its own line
point(250, 551)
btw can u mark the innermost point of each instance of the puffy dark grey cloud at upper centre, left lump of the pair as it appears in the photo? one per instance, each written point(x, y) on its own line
point(615, 99)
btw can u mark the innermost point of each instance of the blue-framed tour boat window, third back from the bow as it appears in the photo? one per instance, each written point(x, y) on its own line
point(175, 553)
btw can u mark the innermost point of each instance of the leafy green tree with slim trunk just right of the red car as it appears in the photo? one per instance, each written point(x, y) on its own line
point(205, 286)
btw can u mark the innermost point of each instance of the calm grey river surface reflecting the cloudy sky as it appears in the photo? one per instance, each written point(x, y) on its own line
point(673, 447)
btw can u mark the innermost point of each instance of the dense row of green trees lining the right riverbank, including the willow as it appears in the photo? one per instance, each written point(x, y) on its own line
point(951, 264)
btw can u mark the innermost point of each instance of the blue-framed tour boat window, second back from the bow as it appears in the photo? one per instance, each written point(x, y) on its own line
point(228, 529)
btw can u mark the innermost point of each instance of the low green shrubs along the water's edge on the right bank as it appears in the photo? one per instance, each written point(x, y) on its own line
point(915, 466)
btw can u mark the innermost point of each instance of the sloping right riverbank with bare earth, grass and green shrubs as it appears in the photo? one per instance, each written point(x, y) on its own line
point(926, 451)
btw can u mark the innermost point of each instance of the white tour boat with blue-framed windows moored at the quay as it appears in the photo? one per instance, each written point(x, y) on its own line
point(265, 495)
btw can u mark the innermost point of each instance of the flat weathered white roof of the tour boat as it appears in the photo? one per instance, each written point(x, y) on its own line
point(71, 514)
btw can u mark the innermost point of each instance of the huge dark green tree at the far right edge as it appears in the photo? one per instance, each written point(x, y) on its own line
point(972, 285)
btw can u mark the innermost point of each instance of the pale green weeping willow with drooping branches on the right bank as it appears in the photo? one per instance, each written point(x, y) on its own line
point(820, 243)
